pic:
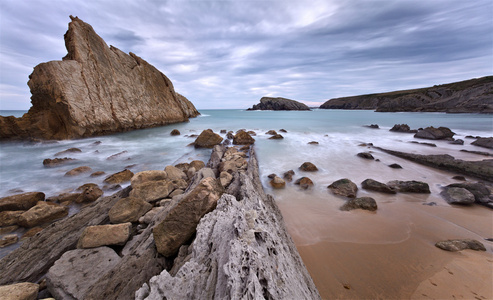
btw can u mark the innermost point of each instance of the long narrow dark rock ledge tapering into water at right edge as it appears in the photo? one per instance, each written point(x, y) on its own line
point(480, 169)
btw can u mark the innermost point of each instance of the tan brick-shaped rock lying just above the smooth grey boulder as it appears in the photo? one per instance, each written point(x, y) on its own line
point(104, 235)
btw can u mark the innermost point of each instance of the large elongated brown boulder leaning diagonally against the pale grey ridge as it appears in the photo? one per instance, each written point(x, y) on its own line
point(181, 222)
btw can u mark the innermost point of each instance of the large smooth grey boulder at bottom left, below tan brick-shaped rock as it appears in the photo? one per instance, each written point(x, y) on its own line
point(77, 270)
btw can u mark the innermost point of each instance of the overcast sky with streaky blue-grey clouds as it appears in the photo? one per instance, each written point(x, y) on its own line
point(228, 54)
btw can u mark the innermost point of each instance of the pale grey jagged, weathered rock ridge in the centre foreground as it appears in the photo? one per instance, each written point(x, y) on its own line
point(241, 251)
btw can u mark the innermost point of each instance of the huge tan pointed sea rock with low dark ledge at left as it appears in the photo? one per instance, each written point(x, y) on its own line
point(95, 90)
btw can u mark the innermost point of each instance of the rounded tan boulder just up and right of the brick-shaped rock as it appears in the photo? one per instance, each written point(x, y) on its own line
point(128, 210)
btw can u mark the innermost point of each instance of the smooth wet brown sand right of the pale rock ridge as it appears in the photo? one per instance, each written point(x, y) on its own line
point(390, 253)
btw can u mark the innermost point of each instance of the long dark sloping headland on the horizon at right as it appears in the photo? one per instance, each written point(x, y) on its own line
point(469, 96)
